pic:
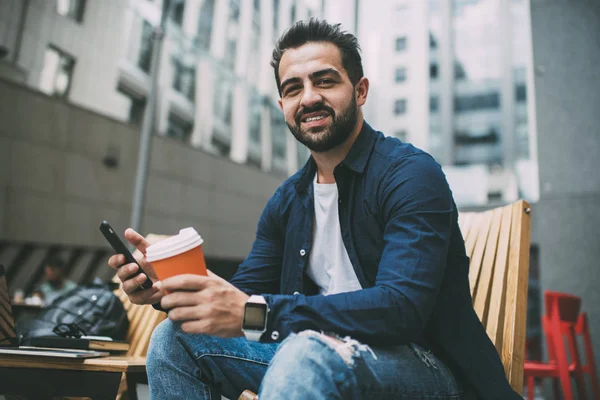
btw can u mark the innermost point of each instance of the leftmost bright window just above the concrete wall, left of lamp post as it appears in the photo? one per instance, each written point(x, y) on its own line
point(57, 72)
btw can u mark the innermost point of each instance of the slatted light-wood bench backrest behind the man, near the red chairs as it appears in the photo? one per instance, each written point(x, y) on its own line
point(497, 242)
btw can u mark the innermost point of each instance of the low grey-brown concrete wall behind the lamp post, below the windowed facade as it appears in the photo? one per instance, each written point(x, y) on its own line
point(54, 187)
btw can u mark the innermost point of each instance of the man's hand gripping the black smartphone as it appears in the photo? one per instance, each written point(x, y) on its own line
point(132, 283)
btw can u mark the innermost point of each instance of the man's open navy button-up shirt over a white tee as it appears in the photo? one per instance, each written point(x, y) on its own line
point(400, 228)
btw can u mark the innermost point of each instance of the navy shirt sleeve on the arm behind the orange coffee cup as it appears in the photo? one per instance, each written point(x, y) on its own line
point(260, 272)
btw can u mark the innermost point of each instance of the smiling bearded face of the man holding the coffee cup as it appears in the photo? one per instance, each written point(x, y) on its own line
point(317, 98)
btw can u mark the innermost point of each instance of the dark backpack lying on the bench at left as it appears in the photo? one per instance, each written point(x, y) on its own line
point(91, 310)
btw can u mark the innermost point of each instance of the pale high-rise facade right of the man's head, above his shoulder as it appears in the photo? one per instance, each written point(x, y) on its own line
point(453, 77)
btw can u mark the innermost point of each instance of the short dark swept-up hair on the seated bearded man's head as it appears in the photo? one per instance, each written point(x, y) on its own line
point(315, 30)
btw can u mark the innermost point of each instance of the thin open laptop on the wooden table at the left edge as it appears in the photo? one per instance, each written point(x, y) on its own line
point(9, 343)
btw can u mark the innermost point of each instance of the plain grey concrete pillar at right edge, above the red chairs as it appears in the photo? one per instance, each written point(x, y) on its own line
point(566, 224)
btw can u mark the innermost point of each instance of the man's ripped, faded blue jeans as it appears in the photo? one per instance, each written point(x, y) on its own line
point(308, 365)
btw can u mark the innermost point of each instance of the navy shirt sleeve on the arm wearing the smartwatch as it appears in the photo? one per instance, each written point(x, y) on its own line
point(416, 204)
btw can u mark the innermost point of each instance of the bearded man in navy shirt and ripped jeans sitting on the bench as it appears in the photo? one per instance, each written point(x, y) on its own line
point(358, 276)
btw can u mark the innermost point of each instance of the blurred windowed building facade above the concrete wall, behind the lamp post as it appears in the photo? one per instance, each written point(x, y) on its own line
point(216, 88)
